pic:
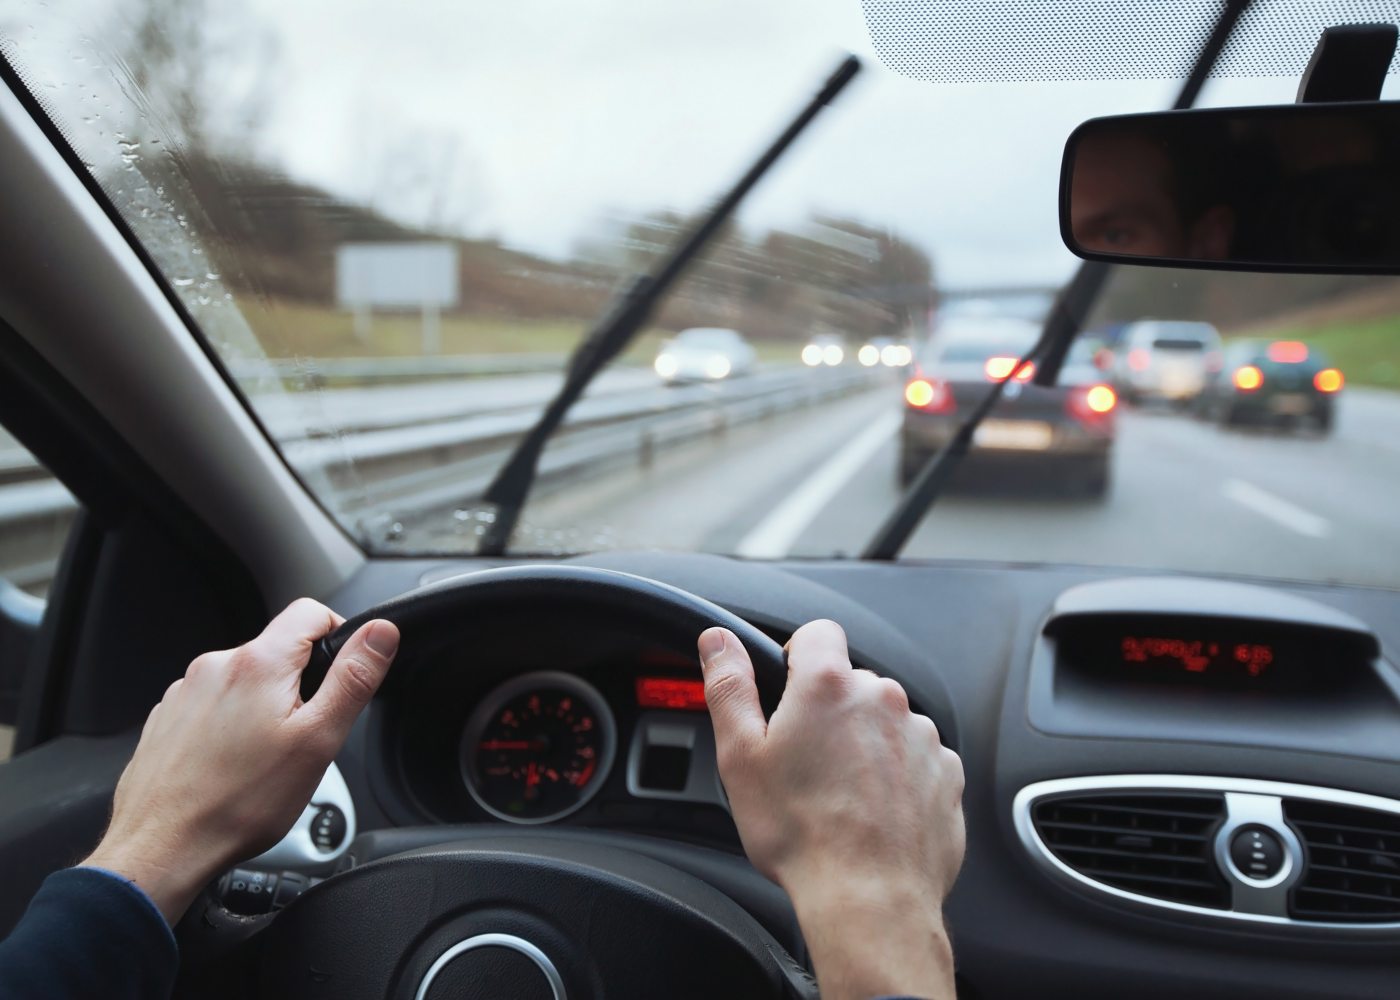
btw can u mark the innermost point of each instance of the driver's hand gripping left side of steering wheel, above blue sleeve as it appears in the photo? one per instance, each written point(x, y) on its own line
point(232, 756)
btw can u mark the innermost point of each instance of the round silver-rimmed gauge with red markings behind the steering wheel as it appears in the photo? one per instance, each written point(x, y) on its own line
point(538, 747)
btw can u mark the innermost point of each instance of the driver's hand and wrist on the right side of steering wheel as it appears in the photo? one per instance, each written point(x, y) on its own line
point(849, 802)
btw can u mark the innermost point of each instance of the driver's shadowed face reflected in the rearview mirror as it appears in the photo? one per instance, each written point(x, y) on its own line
point(1129, 197)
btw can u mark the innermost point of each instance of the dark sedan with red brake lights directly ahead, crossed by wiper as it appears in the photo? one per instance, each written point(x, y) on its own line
point(1063, 432)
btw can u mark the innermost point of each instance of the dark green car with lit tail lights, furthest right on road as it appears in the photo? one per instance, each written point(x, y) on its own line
point(1279, 383)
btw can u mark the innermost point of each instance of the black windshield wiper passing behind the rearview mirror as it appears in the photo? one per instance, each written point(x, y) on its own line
point(1063, 324)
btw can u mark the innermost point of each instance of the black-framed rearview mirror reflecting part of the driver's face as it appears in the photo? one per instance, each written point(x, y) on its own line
point(1304, 188)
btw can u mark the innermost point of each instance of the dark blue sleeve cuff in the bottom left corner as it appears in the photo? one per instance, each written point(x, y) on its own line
point(89, 933)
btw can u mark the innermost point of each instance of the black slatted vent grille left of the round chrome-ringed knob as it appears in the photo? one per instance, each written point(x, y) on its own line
point(1153, 845)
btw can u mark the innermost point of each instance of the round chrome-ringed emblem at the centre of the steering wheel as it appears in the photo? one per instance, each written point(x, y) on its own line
point(492, 966)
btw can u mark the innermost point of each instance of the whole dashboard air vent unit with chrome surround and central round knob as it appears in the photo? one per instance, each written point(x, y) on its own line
point(1214, 849)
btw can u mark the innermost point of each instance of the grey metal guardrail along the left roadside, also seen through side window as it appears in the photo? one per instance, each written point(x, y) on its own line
point(415, 470)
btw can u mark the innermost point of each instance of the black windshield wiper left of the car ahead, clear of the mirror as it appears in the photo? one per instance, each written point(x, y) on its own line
point(624, 320)
